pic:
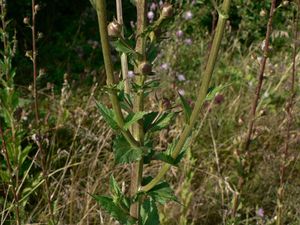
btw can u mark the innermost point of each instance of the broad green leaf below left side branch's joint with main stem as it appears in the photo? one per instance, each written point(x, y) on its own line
point(124, 153)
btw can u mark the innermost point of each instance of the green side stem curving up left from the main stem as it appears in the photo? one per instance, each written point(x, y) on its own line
point(101, 14)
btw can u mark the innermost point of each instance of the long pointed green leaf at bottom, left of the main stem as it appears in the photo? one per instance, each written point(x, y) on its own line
point(115, 211)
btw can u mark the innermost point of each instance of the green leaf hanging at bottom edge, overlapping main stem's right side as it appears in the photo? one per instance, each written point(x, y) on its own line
point(149, 213)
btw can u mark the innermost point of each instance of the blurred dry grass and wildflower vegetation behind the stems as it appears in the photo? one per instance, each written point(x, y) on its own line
point(53, 164)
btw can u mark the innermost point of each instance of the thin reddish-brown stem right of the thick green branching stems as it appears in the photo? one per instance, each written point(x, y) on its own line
point(252, 113)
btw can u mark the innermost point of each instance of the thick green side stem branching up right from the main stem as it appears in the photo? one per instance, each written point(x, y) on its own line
point(223, 15)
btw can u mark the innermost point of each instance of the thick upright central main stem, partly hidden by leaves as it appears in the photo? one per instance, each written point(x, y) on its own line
point(138, 133)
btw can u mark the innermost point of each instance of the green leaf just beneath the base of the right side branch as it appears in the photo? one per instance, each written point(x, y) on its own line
point(162, 193)
